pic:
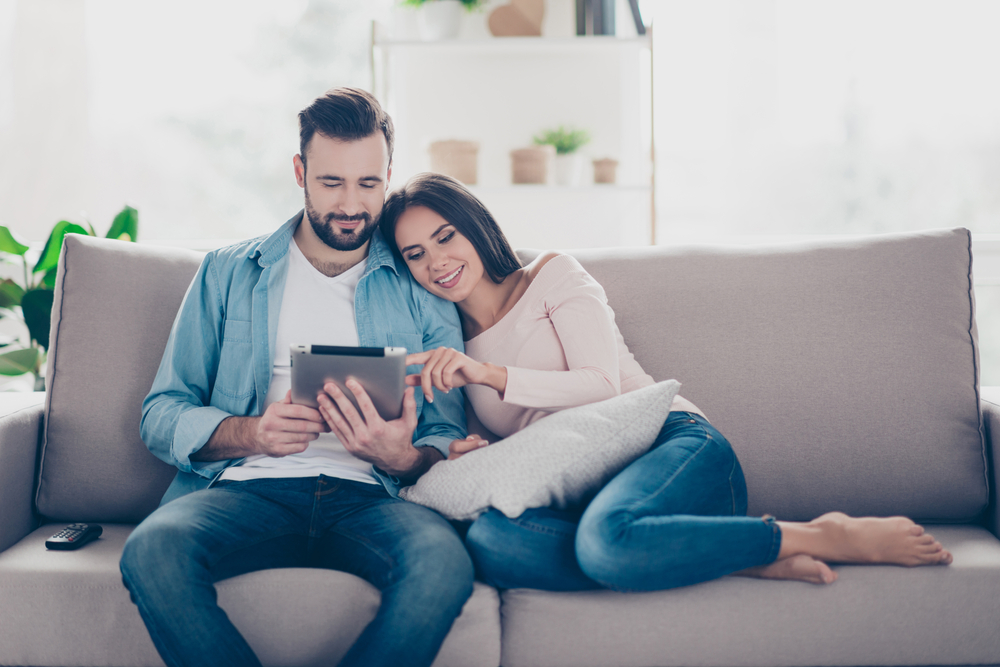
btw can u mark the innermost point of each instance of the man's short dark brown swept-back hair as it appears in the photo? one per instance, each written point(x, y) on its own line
point(346, 114)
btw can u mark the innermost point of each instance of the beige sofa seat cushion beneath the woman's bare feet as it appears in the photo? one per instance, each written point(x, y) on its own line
point(872, 615)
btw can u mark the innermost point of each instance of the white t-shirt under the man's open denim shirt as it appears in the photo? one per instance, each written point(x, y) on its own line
point(315, 310)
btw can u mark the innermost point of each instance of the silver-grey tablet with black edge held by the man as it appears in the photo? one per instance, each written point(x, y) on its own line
point(380, 370)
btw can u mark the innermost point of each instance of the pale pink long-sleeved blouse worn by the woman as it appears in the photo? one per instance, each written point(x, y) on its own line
point(561, 347)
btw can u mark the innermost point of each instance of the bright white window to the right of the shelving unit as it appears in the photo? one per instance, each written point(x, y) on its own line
point(785, 118)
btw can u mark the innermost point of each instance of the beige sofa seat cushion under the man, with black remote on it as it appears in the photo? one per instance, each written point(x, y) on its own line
point(71, 608)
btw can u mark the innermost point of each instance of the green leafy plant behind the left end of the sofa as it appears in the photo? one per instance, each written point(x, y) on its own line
point(31, 300)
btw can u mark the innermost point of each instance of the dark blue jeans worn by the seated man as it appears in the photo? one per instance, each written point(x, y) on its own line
point(411, 554)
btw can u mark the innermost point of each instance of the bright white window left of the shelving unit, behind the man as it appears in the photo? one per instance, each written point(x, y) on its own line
point(185, 109)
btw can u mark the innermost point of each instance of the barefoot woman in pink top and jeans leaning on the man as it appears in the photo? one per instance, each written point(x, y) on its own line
point(541, 338)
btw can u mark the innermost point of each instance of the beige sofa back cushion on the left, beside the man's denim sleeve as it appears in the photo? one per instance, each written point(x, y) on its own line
point(114, 305)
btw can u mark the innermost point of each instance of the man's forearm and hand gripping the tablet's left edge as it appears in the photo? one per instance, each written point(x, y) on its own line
point(283, 429)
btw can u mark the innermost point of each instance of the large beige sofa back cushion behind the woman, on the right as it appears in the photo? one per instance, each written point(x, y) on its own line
point(844, 373)
